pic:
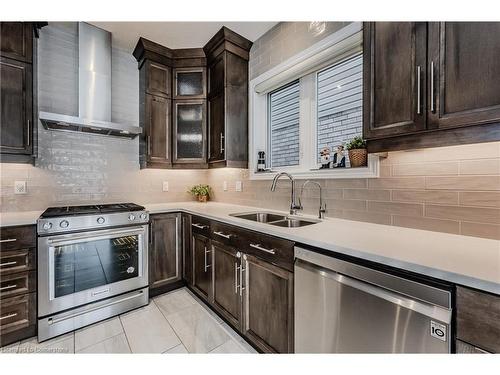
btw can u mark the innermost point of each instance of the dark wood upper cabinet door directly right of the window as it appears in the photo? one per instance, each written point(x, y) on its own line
point(394, 60)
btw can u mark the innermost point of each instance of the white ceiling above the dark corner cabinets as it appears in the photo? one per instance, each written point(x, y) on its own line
point(178, 34)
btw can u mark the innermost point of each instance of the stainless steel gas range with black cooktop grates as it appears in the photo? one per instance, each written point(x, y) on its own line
point(92, 264)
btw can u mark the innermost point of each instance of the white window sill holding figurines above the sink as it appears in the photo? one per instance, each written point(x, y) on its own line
point(371, 171)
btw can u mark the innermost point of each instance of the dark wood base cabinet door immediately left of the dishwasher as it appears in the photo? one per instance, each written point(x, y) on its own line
point(268, 305)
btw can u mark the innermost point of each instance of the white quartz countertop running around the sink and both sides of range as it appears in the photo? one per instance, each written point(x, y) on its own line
point(464, 260)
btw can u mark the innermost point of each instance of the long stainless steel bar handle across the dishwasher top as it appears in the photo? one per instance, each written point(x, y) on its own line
point(432, 311)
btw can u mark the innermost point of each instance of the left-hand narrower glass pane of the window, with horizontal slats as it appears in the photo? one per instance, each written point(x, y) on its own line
point(284, 125)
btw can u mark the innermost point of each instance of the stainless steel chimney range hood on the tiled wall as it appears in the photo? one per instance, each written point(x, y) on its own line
point(94, 89)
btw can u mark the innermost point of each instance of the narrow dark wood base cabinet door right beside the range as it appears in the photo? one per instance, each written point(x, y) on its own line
point(165, 251)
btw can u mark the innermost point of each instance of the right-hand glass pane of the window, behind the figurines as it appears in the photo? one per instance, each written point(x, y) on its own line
point(340, 103)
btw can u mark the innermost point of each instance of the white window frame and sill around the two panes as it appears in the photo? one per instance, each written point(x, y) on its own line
point(344, 43)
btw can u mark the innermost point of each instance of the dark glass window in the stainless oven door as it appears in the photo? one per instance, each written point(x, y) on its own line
point(87, 265)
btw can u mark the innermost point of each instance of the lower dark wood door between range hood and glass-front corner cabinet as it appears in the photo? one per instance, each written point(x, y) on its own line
point(158, 131)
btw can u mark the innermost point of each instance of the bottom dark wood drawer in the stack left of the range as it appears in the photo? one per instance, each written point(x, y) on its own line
point(17, 312)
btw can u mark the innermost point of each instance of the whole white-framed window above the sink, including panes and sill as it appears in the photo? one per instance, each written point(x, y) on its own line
point(311, 101)
